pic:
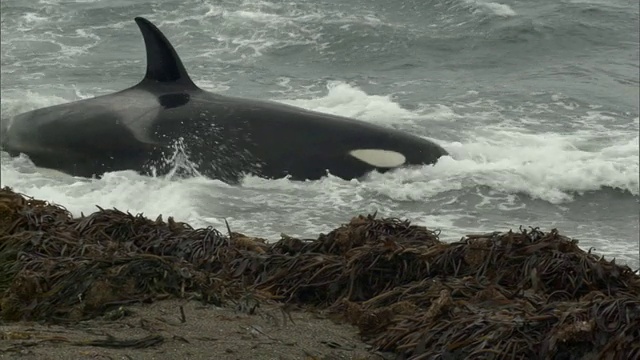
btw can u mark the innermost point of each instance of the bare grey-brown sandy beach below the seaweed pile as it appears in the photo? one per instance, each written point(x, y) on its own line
point(159, 331)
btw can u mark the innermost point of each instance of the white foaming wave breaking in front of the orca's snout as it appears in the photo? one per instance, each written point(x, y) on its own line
point(543, 166)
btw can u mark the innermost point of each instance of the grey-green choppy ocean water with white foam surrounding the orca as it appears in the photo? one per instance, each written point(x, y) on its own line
point(537, 102)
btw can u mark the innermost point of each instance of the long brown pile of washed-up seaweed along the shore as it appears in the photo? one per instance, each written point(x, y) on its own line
point(526, 294)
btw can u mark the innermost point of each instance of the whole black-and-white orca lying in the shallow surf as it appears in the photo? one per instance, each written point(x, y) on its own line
point(226, 137)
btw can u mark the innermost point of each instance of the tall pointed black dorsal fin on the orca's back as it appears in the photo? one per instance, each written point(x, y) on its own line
point(163, 63)
